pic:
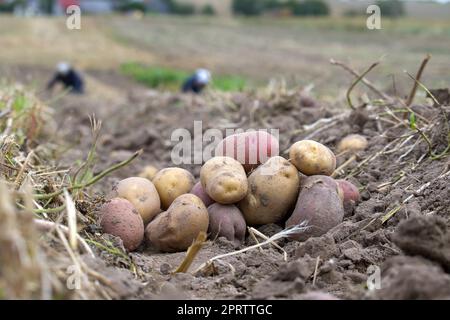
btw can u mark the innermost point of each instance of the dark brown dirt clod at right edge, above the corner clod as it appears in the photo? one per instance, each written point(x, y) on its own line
point(427, 236)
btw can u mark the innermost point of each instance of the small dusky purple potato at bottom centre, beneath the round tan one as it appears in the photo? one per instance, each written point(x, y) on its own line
point(225, 220)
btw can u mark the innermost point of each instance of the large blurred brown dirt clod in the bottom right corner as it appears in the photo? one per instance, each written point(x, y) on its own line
point(407, 278)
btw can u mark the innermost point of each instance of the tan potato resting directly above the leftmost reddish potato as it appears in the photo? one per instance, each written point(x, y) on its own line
point(142, 194)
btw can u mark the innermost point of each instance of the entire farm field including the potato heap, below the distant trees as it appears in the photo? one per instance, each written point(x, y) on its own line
point(300, 233)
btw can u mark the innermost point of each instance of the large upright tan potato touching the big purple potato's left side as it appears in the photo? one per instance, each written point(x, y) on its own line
point(273, 189)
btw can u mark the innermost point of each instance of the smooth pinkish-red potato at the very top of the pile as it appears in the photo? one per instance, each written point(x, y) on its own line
point(249, 148)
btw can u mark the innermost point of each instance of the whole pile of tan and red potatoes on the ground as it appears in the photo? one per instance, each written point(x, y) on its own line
point(169, 208)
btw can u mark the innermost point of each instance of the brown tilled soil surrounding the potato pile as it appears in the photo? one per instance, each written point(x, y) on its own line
point(411, 248)
